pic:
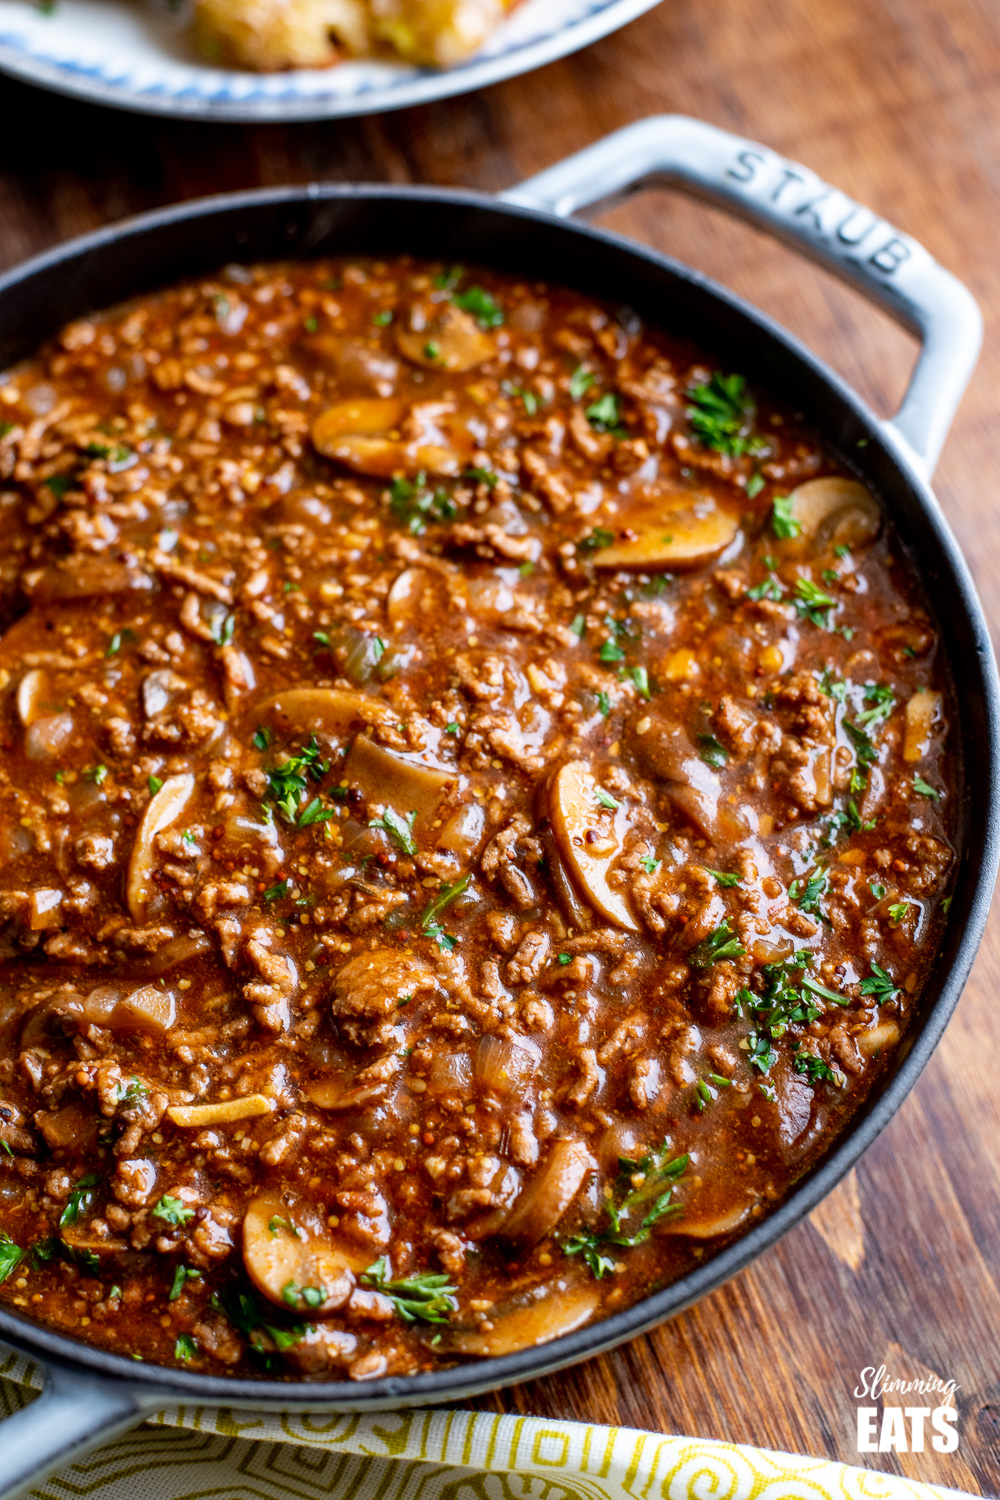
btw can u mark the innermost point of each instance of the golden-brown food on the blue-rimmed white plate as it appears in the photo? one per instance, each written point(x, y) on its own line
point(272, 35)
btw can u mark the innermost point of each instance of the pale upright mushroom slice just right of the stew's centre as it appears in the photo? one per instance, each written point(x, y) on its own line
point(590, 839)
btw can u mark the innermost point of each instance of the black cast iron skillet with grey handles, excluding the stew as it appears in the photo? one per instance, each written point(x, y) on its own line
point(92, 1396)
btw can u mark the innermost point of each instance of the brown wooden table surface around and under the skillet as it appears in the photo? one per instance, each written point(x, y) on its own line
point(899, 103)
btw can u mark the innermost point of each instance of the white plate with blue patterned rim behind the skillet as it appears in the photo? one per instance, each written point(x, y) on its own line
point(137, 58)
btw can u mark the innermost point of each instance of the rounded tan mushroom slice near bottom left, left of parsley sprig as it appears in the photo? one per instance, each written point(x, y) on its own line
point(292, 1258)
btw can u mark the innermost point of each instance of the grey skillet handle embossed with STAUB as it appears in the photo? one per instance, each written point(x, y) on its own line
point(798, 208)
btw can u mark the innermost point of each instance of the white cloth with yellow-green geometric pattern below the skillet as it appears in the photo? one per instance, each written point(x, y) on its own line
point(190, 1453)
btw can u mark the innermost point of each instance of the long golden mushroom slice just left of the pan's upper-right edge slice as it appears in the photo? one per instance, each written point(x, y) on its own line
point(669, 532)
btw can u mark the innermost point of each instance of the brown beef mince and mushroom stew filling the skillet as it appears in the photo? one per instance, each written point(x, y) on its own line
point(475, 817)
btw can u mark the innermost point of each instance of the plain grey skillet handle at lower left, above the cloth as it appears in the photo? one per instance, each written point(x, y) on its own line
point(76, 1414)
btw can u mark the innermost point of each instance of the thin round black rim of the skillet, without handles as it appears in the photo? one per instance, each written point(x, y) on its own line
point(971, 910)
